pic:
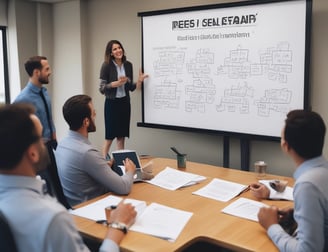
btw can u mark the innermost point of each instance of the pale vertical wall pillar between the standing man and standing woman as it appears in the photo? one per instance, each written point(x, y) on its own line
point(67, 61)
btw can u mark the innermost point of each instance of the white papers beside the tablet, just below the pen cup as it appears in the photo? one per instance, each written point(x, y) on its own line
point(173, 179)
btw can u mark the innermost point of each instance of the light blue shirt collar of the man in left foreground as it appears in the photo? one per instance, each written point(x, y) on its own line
point(23, 182)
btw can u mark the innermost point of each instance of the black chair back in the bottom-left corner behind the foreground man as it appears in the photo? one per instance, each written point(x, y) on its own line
point(7, 242)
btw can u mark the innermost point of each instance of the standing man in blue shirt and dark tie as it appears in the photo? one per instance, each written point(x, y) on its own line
point(38, 70)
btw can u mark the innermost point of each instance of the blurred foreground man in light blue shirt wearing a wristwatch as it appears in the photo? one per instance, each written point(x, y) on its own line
point(37, 221)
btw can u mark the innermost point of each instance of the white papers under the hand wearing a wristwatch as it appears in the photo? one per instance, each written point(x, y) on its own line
point(157, 220)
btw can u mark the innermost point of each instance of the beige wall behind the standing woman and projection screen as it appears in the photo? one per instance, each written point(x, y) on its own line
point(83, 27)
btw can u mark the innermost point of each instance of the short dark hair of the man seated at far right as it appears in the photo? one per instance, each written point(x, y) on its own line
point(305, 133)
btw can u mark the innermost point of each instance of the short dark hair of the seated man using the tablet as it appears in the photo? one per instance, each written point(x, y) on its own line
point(76, 109)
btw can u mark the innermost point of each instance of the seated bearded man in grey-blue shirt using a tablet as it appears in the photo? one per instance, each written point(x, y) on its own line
point(84, 173)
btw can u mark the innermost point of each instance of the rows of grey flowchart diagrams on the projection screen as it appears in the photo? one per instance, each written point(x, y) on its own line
point(172, 91)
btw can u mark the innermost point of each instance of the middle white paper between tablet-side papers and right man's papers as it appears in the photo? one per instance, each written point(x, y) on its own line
point(221, 190)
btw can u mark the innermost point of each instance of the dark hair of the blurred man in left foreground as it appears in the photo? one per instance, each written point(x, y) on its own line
point(17, 133)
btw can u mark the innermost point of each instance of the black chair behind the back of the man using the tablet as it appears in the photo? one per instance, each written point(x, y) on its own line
point(50, 175)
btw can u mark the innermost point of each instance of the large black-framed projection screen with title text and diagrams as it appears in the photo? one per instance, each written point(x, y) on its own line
point(233, 68)
